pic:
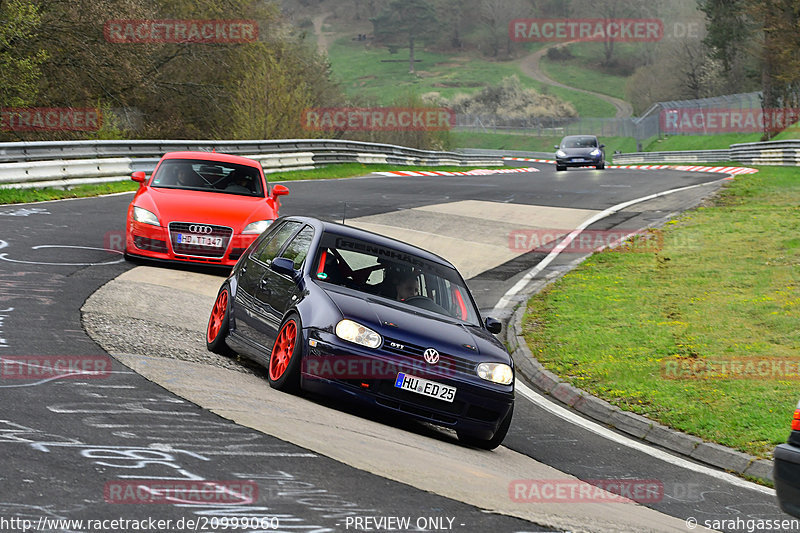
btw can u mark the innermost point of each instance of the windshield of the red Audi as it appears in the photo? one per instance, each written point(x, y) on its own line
point(214, 176)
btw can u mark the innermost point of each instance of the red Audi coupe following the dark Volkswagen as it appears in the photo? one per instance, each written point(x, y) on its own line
point(200, 207)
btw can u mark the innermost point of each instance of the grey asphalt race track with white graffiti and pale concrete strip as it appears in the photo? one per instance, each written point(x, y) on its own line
point(315, 467)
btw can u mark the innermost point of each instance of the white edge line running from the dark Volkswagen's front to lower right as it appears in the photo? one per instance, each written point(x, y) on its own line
point(606, 433)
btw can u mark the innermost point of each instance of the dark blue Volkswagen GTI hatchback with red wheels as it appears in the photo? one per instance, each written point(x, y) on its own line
point(345, 312)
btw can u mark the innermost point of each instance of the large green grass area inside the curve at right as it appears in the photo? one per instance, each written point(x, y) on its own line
point(724, 286)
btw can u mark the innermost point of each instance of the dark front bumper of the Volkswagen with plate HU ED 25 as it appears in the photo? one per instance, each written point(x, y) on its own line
point(338, 368)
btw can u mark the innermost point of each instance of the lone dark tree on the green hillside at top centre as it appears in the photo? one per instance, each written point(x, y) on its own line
point(403, 23)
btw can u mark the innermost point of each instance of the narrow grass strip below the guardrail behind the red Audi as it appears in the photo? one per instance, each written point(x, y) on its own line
point(344, 170)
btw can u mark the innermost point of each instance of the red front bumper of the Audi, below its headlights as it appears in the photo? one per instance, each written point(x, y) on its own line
point(153, 242)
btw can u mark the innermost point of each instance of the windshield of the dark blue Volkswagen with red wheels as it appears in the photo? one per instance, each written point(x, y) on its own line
point(394, 275)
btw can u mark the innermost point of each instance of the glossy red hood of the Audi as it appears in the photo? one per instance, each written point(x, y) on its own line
point(172, 205)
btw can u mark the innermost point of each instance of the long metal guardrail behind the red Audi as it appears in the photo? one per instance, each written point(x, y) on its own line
point(51, 163)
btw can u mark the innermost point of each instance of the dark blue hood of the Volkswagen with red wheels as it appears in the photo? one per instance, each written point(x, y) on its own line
point(415, 326)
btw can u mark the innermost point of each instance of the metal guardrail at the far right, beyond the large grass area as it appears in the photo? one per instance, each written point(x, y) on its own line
point(779, 153)
